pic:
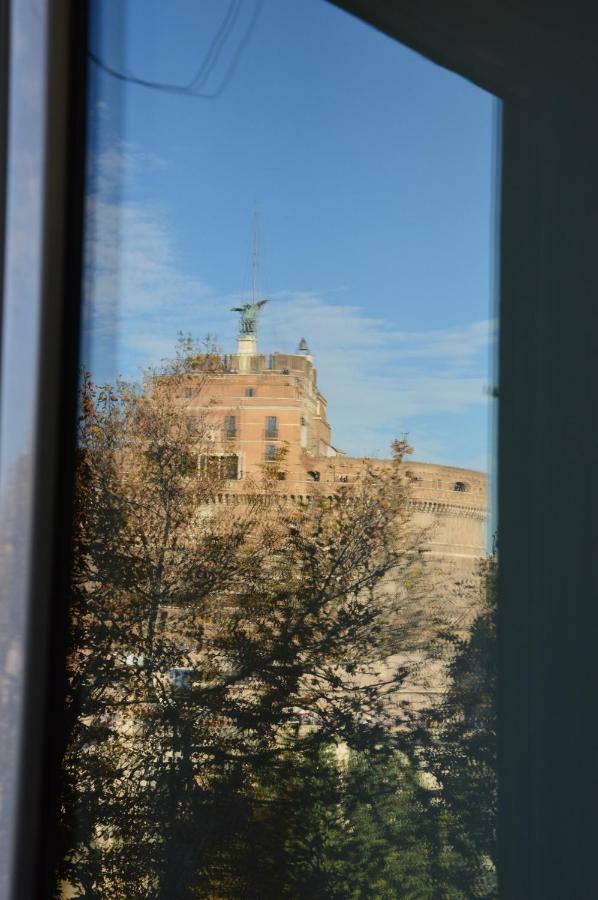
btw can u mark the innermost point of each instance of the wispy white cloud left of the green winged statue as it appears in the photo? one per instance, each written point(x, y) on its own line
point(133, 284)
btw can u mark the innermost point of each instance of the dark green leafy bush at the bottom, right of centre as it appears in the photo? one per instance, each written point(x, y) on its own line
point(348, 825)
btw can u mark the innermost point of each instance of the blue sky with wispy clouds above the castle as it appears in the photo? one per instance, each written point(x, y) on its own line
point(372, 175)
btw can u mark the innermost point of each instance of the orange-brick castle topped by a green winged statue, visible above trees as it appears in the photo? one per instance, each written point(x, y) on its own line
point(266, 413)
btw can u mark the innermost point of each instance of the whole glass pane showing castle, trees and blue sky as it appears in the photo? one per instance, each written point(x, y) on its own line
point(281, 663)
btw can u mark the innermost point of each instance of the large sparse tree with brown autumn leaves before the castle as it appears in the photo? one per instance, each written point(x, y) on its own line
point(201, 632)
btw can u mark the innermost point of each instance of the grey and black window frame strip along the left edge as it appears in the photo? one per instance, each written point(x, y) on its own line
point(57, 239)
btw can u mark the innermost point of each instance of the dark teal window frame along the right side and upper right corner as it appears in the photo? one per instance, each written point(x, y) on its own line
point(539, 60)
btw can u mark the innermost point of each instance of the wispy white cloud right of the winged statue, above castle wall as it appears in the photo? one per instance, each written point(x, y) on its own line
point(377, 377)
